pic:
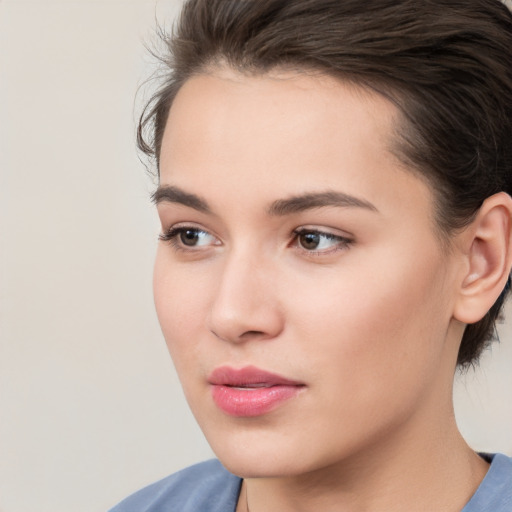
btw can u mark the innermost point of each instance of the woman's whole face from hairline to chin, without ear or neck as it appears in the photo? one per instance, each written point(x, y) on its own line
point(301, 287)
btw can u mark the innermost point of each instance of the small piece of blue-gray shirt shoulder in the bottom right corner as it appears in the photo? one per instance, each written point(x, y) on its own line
point(495, 492)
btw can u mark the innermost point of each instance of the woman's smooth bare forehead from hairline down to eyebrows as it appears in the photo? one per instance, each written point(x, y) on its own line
point(279, 134)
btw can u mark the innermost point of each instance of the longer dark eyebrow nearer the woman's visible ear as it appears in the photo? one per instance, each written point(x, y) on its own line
point(304, 202)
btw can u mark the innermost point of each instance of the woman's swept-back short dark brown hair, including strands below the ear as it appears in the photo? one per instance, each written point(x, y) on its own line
point(446, 64)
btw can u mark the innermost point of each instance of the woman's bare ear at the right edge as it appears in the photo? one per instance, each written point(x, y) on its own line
point(488, 252)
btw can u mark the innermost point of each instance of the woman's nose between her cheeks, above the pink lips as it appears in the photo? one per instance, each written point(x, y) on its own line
point(246, 306)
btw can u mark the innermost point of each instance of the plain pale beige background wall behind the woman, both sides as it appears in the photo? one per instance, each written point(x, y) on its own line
point(90, 408)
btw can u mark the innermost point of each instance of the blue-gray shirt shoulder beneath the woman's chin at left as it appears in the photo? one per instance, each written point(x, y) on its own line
point(204, 487)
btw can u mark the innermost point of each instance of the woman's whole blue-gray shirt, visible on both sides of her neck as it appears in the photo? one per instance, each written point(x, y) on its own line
point(208, 487)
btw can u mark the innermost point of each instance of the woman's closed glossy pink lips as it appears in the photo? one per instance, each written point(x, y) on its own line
point(250, 391)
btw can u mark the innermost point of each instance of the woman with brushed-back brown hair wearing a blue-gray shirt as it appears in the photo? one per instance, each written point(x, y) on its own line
point(334, 183)
